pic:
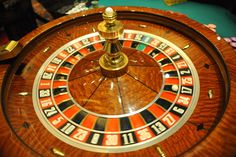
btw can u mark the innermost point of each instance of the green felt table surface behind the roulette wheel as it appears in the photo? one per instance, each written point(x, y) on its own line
point(201, 12)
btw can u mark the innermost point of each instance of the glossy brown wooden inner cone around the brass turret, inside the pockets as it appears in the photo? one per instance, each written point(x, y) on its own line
point(102, 95)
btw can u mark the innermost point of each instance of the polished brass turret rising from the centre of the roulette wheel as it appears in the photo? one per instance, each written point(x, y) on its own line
point(114, 62)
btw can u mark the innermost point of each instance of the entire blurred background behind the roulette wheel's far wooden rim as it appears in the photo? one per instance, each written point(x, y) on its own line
point(19, 17)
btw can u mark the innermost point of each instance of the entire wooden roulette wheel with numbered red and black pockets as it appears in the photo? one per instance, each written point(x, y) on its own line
point(126, 81)
